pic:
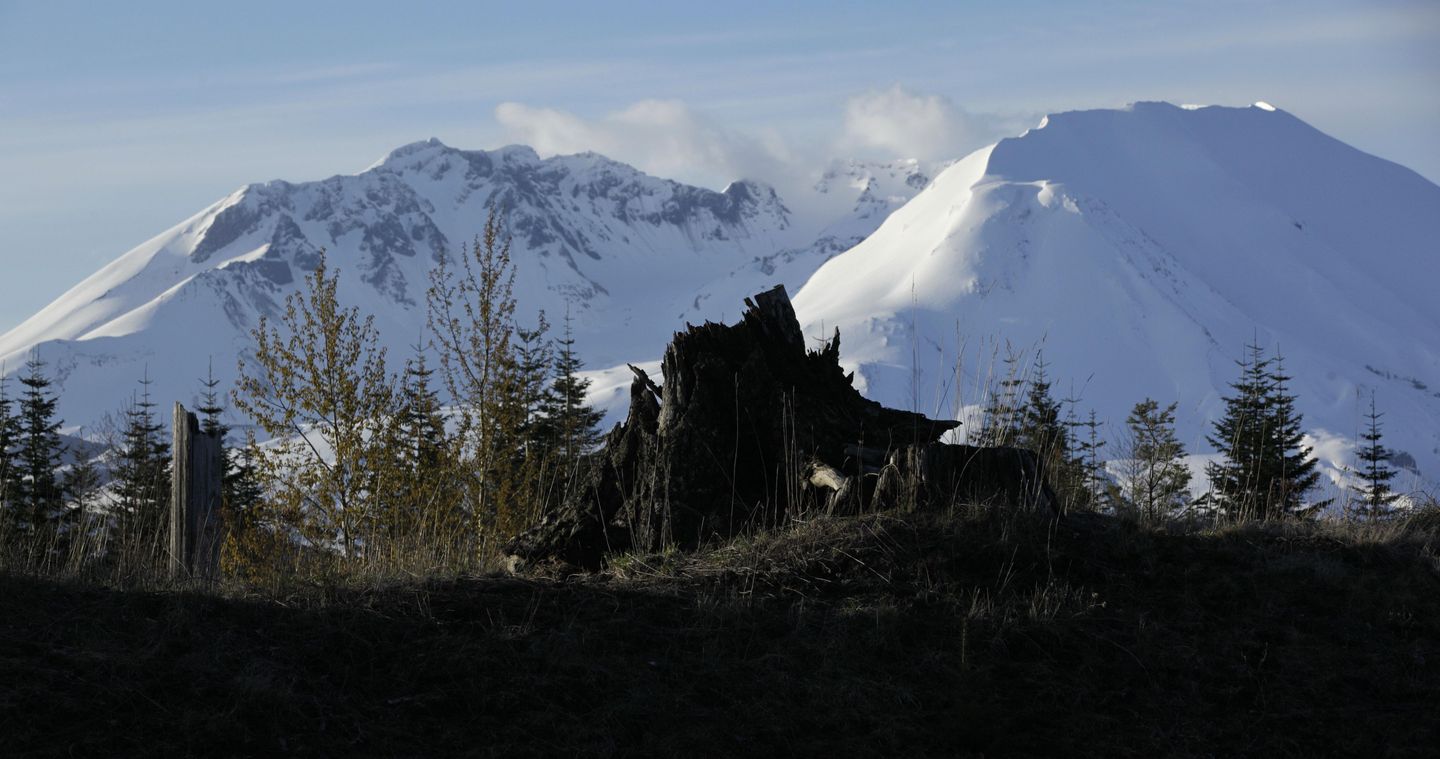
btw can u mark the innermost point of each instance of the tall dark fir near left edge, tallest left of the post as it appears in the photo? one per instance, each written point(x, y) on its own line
point(38, 495)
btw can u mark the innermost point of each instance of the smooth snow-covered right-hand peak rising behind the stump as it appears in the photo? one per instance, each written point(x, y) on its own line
point(1141, 250)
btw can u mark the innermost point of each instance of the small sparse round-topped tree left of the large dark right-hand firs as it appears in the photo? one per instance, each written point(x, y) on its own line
point(1157, 476)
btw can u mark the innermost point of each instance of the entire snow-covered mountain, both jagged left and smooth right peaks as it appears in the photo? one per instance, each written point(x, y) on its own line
point(1140, 250)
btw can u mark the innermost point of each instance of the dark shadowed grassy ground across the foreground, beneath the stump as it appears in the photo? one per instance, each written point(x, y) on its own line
point(973, 633)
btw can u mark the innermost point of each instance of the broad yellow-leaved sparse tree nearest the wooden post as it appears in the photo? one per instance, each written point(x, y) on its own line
point(319, 385)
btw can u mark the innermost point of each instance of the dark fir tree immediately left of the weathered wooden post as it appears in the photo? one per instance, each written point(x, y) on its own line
point(142, 477)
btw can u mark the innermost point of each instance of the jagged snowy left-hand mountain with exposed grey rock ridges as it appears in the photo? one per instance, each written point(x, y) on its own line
point(630, 256)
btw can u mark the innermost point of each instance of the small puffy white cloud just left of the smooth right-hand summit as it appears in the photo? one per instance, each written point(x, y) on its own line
point(899, 123)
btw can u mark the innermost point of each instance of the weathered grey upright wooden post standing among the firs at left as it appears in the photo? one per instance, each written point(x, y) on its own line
point(195, 499)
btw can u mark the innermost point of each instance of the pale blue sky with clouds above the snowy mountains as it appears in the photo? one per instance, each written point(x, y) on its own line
point(119, 120)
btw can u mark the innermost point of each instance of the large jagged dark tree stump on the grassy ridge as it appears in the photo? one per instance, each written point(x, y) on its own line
point(750, 430)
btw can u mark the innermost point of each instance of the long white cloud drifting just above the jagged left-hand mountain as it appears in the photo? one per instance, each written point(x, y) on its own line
point(662, 138)
